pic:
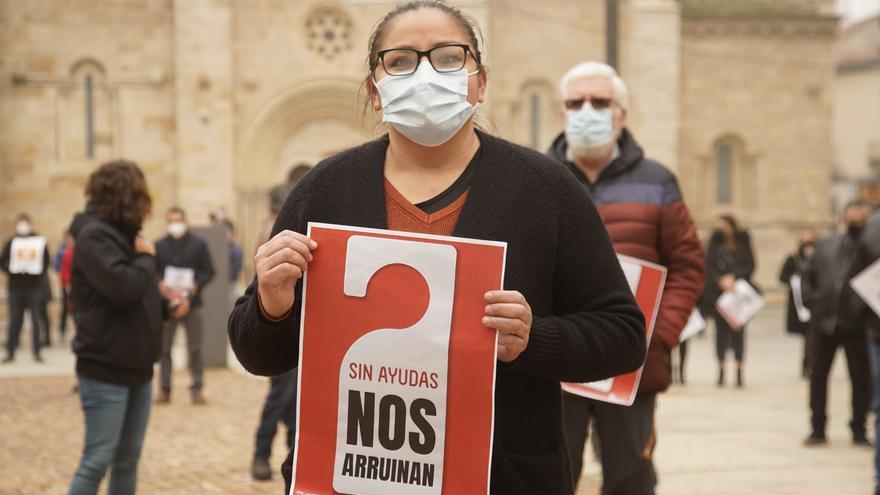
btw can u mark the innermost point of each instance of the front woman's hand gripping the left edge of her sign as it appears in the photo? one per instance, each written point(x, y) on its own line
point(279, 263)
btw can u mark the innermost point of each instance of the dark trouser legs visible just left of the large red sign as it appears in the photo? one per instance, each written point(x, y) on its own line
point(280, 406)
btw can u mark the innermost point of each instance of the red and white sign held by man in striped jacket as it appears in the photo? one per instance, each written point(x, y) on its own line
point(646, 280)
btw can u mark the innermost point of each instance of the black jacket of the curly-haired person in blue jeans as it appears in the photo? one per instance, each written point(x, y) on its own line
point(116, 306)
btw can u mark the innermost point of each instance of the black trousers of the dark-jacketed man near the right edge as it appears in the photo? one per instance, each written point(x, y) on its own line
point(824, 347)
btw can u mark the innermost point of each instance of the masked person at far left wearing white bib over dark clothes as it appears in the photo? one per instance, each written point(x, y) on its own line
point(25, 260)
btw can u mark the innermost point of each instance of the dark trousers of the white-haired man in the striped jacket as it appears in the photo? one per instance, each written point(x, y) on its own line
point(625, 433)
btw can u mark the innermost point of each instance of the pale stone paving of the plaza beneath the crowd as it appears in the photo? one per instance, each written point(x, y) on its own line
point(711, 441)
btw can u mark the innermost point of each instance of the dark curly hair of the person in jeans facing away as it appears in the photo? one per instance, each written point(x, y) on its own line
point(118, 192)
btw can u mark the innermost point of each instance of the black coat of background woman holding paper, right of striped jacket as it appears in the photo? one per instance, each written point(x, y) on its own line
point(721, 261)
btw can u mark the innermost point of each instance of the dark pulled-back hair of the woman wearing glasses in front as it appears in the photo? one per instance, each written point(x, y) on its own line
point(468, 25)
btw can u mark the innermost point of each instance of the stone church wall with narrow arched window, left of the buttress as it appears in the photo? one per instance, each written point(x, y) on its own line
point(45, 47)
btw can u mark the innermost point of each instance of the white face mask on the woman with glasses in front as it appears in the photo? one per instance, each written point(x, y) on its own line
point(427, 106)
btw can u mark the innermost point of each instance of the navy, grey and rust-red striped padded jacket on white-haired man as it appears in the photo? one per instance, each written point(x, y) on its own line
point(643, 210)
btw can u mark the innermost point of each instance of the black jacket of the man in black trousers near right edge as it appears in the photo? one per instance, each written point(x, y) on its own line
point(835, 307)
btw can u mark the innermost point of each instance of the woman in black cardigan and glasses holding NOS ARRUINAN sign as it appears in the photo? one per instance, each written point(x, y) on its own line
point(566, 313)
